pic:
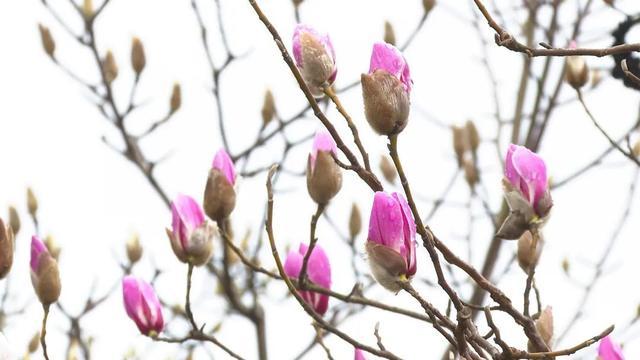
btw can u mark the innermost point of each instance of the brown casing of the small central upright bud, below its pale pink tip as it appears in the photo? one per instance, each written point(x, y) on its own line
point(325, 180)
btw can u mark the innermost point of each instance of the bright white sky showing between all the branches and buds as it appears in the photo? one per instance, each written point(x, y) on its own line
point(92, 199)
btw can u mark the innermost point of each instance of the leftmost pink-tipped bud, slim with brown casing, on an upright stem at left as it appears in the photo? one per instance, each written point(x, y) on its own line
point(44, 273)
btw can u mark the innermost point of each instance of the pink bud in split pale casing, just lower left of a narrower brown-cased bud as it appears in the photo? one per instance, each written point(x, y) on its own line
point(191, 235)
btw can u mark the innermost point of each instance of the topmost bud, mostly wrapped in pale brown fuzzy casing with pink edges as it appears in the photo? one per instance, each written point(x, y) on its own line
point(314, 57)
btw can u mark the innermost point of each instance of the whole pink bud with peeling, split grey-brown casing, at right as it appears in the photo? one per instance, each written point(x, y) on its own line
point(526, 189)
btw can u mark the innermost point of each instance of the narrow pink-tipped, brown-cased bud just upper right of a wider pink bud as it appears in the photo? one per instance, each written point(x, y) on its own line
point(219, 194)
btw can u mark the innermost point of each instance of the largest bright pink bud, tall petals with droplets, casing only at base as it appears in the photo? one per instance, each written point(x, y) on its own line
point(391, 244)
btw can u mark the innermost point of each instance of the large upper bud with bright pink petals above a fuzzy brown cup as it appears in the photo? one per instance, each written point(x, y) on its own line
point(386, 89)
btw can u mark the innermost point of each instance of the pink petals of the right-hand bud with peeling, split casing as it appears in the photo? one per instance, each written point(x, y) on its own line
point(527, 172)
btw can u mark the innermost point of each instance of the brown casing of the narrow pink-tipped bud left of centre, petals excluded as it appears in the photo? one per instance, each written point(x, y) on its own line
point(219, 196)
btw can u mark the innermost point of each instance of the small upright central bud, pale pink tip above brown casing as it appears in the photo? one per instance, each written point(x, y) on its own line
point(324, 178)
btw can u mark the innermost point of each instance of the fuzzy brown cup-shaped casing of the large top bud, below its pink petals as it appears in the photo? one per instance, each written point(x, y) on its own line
point(386, 102)
